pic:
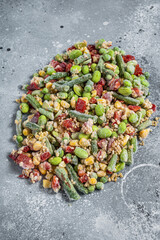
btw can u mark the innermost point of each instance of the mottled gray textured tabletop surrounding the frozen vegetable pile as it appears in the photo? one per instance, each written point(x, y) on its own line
point(30, 30)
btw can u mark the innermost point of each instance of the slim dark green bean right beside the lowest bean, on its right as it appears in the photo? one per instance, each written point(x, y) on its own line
point(73, 175)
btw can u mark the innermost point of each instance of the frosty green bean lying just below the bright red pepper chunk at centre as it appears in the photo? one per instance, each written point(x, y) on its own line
point(82, 117)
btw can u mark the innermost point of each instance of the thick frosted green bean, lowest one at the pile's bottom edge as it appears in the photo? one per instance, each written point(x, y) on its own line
point(67, 185)
